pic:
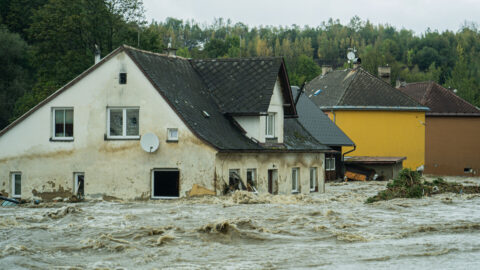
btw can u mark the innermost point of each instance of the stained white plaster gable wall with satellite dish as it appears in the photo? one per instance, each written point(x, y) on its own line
point(118, 168)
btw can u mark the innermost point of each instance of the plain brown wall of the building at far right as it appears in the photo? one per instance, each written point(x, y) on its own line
point(452, 144)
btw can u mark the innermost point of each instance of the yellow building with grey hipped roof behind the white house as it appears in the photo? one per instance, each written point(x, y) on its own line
point(381, 120)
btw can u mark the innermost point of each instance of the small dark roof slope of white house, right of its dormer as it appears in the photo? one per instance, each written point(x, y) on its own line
point(296, 137)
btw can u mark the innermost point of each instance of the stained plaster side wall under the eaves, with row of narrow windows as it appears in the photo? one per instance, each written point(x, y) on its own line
point(283, 162)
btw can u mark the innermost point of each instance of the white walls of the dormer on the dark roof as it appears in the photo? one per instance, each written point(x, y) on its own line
point(255, 125)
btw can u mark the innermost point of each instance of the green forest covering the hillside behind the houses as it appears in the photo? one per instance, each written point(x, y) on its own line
point(46, 43)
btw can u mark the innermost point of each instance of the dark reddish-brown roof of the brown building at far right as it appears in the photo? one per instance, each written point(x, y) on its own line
point(440, 100)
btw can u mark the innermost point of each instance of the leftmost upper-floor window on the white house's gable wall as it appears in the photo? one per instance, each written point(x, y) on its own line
point(62, 124)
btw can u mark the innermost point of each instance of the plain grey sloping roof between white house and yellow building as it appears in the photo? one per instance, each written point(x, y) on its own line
point(318, 124)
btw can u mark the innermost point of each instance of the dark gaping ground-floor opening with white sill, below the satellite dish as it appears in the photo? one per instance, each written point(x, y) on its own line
point(165, 184)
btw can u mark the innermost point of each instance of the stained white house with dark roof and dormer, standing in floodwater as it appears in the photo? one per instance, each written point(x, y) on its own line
point(213, 118)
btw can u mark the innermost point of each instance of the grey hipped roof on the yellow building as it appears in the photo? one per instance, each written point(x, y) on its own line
point(357, 89)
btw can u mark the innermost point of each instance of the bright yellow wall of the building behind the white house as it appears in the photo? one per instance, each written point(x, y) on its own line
point(385, 133)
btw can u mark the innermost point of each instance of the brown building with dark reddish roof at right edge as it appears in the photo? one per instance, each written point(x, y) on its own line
point(452, 130)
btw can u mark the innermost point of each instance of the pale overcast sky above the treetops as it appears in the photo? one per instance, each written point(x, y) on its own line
point(416, 15)
